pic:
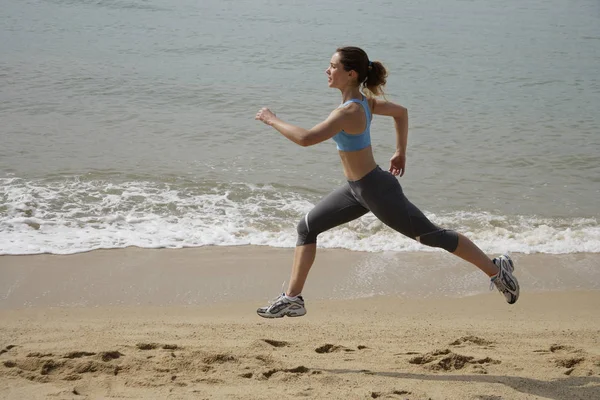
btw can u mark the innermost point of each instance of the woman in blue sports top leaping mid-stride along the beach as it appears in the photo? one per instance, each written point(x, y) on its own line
point(369, 188)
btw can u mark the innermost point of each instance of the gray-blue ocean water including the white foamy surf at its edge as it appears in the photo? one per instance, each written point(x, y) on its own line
point(131, 123)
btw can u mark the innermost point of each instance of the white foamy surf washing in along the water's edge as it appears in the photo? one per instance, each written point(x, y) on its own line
point(74, 215)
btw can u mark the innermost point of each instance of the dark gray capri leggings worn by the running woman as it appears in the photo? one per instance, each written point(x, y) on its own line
point(381, 193)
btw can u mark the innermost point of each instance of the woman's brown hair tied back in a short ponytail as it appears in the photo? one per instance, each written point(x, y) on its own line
point(371, 74)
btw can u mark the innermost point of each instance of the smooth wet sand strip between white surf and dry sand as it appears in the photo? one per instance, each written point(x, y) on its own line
point(211, 275)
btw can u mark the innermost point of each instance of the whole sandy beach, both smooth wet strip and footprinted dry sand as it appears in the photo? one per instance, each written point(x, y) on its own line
point(135, 329)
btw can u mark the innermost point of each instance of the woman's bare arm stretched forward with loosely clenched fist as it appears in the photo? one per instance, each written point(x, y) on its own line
point(301, 136)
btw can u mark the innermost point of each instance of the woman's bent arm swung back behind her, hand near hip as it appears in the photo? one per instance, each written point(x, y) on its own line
point(400, 115)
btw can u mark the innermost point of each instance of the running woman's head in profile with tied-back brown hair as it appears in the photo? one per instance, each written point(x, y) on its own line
point(356, 69)
